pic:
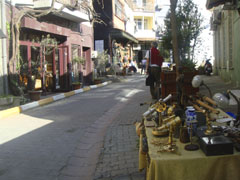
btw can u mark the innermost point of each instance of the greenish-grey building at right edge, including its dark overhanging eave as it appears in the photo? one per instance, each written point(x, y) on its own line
point(225, 24)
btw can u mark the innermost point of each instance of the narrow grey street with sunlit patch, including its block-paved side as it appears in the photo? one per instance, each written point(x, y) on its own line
point(87, 136)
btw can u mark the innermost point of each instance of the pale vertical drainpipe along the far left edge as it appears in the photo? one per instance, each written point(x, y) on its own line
point(4, 48)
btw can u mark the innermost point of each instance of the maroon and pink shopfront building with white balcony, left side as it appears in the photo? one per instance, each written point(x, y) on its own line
point(70, 26)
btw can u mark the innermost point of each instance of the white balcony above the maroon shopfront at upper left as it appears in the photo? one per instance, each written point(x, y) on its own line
point(72, 10)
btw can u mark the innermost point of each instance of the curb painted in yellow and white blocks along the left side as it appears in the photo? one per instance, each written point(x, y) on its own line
point(25, 107)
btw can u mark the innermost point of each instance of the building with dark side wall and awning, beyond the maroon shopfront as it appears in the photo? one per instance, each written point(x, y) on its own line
point(116, 34)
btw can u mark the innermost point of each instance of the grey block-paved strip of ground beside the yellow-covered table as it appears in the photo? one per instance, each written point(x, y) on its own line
point(119, 155)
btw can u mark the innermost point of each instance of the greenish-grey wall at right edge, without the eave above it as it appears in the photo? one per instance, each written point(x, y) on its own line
point(226, 47)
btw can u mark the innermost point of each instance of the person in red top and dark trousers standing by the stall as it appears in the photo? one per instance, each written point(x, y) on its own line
point(153, 66)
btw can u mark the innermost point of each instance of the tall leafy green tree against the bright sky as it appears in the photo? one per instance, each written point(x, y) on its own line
point(188, 29)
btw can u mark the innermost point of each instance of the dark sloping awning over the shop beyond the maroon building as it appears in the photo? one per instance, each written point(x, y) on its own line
point(122, 36)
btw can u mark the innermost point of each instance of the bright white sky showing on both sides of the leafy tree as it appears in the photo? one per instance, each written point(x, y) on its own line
point(203, 52)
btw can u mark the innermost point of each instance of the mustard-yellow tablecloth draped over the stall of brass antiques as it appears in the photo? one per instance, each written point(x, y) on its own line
point(187, 165)
